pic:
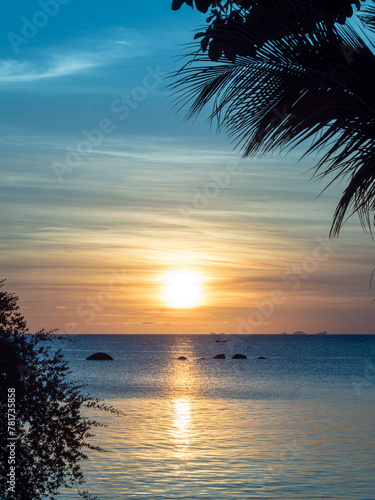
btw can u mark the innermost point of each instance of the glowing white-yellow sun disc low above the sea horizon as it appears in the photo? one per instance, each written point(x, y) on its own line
point(182, 289)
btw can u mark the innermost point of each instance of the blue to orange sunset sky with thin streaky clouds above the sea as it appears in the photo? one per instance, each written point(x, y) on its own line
point(106, 190)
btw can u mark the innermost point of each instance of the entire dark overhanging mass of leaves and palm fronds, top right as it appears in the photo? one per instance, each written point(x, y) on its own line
point(280, 77)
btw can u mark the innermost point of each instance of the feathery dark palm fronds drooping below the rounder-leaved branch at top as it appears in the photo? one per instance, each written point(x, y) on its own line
point(315, 86)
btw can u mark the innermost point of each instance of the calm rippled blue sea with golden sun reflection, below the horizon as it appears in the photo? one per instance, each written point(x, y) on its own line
point(297, 425)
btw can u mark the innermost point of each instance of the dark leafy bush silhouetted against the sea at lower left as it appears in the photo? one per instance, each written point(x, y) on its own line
point(50, 430)
